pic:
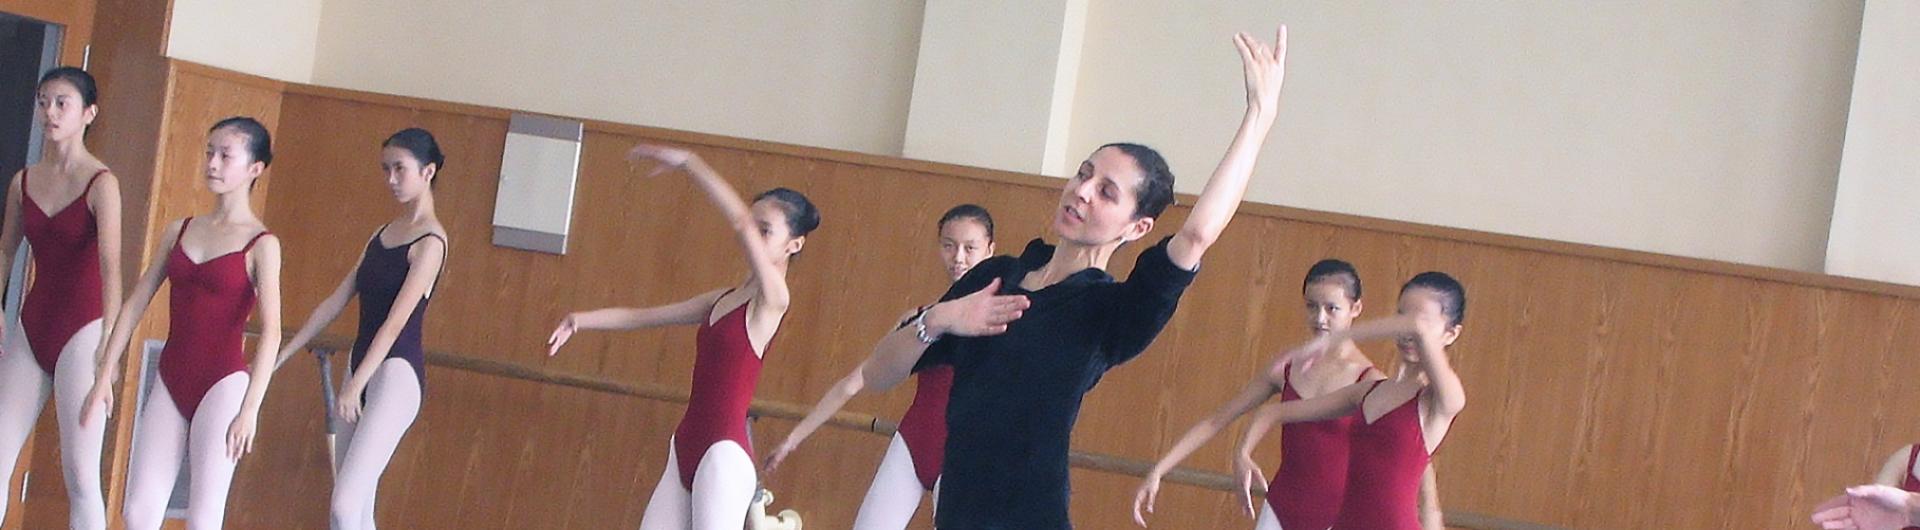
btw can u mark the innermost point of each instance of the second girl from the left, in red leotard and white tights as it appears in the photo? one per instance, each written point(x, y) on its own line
point(206, 400)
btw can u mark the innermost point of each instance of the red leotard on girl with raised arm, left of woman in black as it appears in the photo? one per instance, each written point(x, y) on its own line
point(725, 377)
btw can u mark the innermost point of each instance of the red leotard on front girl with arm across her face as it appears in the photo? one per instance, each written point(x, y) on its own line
point(1383, 477)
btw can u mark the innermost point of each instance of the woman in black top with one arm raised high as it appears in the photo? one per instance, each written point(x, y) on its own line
point(1030, 337)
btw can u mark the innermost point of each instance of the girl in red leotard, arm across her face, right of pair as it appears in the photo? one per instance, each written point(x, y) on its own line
point(1403, 420)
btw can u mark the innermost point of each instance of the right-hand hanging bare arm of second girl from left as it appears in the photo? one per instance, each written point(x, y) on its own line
point(266, 264)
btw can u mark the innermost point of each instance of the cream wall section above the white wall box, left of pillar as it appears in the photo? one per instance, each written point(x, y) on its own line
point(825, 74)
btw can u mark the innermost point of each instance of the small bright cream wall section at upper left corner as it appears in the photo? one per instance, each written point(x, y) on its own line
point(272, 39)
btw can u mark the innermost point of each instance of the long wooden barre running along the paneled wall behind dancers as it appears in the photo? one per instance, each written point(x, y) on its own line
point(867, 423)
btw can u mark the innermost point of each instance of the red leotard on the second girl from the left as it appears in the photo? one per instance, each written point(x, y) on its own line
point(208, 312)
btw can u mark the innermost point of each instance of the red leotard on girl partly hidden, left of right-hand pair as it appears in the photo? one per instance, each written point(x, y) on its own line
point(1312, 479)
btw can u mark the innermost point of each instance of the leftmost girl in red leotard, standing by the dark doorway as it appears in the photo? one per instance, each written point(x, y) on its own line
point(68, 210)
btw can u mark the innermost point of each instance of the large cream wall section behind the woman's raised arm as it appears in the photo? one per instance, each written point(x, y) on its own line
point(1708, 130)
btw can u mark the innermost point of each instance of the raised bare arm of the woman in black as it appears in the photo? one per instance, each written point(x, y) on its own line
point(1266, 70)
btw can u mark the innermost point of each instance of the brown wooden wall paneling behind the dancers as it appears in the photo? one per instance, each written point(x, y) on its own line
point(1604, 387)
